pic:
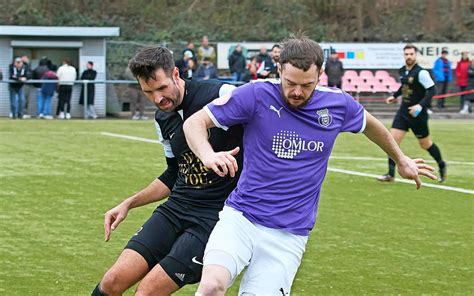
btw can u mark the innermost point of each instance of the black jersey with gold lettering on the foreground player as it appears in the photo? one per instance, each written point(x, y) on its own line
point(198, 194)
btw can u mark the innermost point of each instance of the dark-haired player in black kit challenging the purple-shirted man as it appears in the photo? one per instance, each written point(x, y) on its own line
point(166, 252)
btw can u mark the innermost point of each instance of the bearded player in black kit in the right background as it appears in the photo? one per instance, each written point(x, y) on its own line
point(416, 90)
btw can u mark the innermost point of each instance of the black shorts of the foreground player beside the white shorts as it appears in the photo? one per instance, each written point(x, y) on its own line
point(176, 244)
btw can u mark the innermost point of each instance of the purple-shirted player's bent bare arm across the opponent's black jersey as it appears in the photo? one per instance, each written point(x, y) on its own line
point(195, 130)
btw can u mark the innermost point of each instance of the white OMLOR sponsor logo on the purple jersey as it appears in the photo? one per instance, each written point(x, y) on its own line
point(288, 144)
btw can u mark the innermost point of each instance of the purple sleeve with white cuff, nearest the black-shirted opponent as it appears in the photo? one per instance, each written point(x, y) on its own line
point(232, 109)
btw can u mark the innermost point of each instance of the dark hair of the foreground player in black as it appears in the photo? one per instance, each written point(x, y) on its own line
point(145, 63)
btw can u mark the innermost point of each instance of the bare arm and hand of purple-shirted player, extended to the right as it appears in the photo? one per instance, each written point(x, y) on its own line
point(408, 168)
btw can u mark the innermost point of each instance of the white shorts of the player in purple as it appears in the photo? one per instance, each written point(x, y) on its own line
point(272, 256)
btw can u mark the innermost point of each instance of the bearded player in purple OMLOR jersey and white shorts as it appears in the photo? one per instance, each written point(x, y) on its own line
point(290, 127)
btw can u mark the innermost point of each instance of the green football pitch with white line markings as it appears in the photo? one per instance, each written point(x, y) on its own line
point(57, 178)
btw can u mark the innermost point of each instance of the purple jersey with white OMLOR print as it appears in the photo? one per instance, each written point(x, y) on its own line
point(286, 150)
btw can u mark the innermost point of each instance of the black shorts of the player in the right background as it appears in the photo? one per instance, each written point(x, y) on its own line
point(419, 125)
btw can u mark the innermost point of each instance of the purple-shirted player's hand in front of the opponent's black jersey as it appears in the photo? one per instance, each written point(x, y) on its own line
point(222, 163)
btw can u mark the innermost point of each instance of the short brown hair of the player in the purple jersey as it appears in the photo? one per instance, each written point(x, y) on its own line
point(301, 52)
